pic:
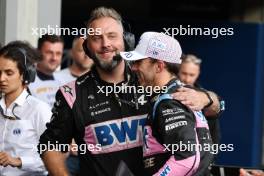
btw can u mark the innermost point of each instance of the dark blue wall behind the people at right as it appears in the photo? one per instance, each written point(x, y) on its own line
point(233, 67)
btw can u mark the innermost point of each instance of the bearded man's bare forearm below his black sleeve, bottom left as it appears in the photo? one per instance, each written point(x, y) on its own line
point(54, 162)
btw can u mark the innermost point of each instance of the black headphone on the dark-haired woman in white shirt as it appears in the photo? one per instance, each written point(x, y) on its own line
point(29, 70)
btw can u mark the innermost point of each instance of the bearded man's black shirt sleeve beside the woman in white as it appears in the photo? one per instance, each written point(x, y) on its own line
point(60, 129)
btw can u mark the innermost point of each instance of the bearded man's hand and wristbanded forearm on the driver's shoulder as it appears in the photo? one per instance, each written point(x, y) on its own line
point(198, 100)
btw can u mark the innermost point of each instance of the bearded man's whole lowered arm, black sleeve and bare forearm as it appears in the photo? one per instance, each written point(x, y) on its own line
point(59, 133)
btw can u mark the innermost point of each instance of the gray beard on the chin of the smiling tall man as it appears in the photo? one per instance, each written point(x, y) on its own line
point(107, 67)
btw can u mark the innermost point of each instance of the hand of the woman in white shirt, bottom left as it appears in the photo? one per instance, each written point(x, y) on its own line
point(6, 159)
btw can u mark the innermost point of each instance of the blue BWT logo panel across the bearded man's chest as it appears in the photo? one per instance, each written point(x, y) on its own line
point(116, 135)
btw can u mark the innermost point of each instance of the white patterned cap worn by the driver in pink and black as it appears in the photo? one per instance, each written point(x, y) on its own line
point(155, 45)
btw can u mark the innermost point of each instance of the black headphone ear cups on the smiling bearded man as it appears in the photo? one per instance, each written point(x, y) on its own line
point(129, 41)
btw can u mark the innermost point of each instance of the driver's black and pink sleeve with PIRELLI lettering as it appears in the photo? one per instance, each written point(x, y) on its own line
point(176, 126)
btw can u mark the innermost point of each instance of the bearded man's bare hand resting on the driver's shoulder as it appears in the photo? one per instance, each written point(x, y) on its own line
point(195, 100)
